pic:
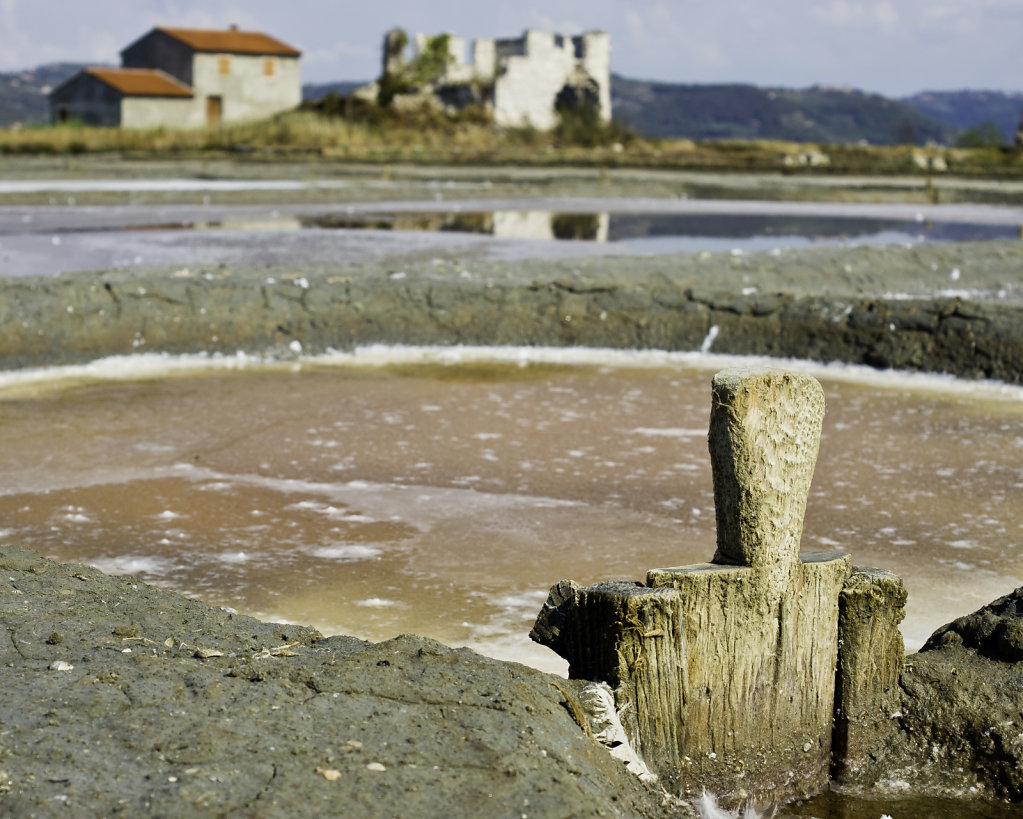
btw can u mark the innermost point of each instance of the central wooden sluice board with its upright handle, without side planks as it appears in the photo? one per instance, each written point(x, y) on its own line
point(761, 625)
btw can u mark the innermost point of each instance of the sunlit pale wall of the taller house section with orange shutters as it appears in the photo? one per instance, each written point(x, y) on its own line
point(247, 93)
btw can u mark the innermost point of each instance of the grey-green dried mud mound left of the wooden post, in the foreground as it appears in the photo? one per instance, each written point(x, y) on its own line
point(122, 699)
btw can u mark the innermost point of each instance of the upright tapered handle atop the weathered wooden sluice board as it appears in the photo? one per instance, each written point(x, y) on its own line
point(765, 436)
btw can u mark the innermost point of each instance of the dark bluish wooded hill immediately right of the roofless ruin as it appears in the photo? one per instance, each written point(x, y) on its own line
point(746, 112)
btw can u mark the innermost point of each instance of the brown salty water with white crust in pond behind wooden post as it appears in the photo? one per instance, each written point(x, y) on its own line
point(444, 497)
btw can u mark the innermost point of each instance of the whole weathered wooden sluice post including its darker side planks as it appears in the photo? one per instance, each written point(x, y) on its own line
point(725, 673)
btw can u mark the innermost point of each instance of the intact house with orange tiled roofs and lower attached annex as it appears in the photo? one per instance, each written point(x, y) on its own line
point(186, 78)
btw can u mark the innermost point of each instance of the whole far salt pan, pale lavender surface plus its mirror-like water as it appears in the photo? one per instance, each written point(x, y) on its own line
point(43, 241)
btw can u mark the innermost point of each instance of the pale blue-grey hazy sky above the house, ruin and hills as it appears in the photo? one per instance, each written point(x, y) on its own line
point(894, 48)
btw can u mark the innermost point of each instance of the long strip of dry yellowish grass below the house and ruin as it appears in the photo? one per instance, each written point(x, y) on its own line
point(426, 138)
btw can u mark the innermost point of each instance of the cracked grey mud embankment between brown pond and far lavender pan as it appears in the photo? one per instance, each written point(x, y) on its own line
point(954, 308)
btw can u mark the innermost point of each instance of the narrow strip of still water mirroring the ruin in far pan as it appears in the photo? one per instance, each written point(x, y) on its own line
point(641, 232)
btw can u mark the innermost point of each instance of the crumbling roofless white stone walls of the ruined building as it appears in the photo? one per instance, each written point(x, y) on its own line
point(520, 79)
